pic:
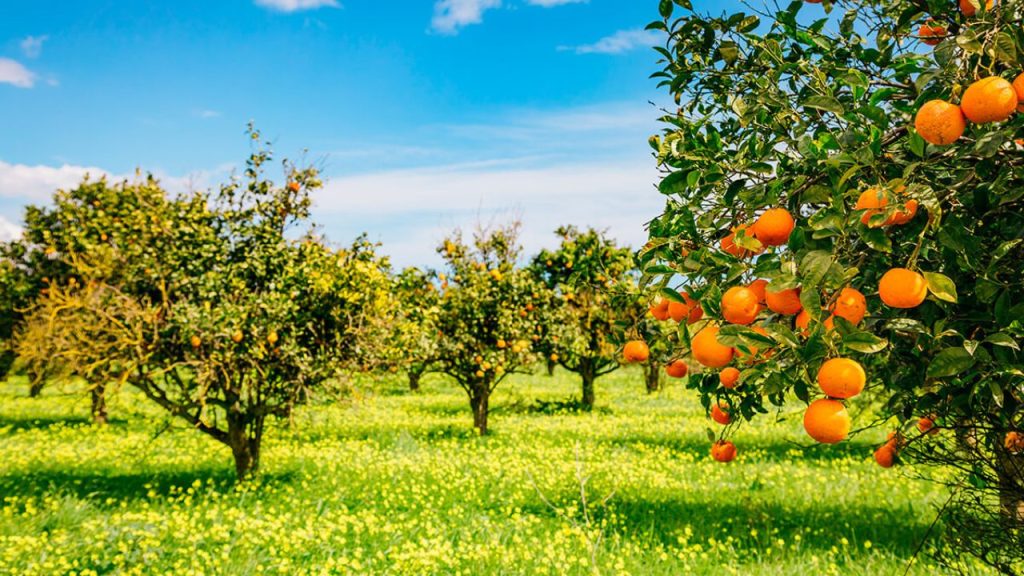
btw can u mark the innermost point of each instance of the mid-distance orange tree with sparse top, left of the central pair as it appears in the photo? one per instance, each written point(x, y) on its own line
point(489, 315)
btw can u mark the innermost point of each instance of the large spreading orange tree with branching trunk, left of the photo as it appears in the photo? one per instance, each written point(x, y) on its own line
point(227, 319)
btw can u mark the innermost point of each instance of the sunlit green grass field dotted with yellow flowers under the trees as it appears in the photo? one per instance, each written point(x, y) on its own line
point(394, 483)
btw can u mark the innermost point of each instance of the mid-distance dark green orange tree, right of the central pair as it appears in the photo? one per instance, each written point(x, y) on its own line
point(585, 271)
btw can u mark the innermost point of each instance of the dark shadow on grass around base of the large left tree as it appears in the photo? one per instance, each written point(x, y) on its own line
point(99, 486)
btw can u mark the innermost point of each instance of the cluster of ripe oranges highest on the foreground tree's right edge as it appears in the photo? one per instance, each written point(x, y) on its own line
point(990, 100)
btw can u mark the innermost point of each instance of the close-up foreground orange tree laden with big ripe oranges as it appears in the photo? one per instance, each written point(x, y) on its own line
point(876, 184)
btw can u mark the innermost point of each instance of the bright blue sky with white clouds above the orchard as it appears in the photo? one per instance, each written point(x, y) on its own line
point(425, 115)
